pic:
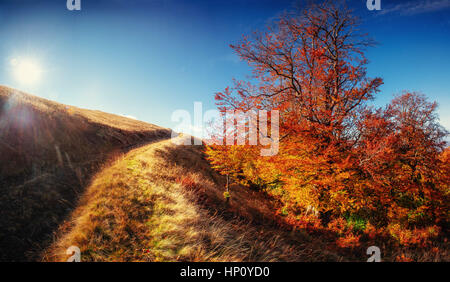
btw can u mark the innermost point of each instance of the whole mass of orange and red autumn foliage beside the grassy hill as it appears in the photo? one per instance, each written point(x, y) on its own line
point(388, 168)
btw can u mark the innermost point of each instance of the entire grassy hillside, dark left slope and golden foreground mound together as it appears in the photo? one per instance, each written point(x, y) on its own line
point(121, 190)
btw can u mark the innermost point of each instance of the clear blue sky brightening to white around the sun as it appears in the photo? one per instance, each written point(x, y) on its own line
point(147, 58)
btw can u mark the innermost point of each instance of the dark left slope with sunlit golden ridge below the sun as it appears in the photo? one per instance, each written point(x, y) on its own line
point(48, 152)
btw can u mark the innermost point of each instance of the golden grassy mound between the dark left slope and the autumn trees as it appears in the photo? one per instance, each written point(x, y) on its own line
point(162, 202)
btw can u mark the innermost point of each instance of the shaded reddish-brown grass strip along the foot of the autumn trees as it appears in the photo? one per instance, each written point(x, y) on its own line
point(259, 210)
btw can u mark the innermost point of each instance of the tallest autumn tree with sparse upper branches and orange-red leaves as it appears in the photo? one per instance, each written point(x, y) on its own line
point(311, 67)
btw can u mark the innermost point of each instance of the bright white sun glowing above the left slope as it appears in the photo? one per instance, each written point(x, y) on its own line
point(26, 71)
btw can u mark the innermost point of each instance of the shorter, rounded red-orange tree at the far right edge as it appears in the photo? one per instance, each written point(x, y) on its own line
point(400, 152)
